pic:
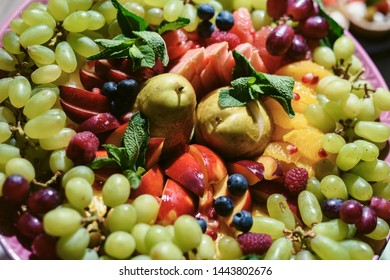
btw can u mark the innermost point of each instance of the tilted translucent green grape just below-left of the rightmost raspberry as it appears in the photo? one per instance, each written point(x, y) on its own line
point(278, 209)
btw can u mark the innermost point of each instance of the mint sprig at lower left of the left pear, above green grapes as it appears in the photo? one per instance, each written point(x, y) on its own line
point(130, 157)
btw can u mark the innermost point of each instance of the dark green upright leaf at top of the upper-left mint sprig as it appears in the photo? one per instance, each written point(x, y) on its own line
point(128, 21)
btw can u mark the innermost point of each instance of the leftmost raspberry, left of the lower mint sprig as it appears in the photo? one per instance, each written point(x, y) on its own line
point(82, 147)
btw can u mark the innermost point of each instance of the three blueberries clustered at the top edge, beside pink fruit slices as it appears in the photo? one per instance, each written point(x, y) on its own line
point(224, 20)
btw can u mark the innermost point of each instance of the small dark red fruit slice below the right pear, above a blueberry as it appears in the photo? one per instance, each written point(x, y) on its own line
point(253, 171)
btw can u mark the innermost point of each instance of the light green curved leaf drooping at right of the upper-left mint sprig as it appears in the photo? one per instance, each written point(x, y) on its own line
point(156, 43)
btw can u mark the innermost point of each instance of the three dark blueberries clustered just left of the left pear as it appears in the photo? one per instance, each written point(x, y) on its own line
point(121, 95)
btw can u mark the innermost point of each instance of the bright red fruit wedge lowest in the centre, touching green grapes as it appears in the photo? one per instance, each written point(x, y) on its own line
point(176, 200)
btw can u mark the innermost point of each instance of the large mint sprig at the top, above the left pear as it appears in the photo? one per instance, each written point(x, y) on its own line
point(137, 41)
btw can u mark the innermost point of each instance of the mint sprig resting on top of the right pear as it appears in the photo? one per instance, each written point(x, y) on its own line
point(248, 84)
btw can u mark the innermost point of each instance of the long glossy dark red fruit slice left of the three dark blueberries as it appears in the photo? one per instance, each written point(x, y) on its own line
point(90, 100)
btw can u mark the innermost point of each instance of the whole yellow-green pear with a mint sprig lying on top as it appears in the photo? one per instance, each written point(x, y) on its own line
point(233, 132)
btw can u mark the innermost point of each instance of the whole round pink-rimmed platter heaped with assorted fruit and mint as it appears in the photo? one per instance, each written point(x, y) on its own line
point(197, 130)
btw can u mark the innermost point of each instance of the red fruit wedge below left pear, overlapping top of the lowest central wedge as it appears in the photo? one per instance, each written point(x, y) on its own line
point(186, 170)
